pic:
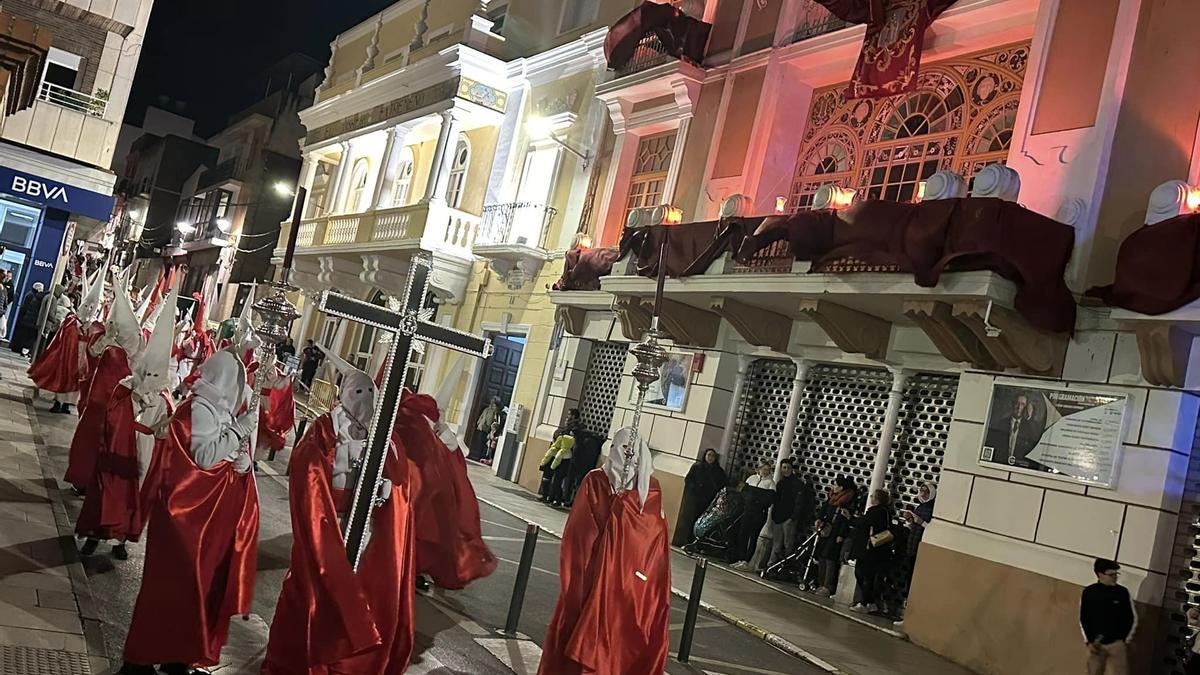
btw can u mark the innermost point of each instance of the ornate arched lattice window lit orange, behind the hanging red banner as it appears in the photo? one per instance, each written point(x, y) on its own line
point(961, 118)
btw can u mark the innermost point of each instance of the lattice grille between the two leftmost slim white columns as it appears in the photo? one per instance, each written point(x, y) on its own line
point(761, 416)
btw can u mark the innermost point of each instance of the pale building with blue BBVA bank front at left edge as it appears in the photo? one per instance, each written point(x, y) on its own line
point(56, 183)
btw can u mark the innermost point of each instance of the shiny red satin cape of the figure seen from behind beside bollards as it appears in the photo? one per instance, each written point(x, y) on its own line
point(615, 606)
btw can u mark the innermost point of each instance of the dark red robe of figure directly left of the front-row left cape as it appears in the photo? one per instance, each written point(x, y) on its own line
point(112, 509)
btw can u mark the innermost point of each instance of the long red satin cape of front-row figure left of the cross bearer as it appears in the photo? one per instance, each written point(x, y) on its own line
point(202, 551)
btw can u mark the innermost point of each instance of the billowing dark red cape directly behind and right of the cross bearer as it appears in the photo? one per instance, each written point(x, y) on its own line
point(449, 539)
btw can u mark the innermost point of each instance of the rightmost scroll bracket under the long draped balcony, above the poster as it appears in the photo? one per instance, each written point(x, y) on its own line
point(1011, 341)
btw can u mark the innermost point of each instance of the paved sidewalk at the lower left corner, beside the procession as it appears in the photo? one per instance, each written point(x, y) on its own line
point(47, 619)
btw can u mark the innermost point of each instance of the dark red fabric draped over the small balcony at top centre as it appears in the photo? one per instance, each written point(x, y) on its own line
point(680, 35)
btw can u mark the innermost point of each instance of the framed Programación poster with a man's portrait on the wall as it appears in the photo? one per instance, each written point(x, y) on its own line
point(1055, 432)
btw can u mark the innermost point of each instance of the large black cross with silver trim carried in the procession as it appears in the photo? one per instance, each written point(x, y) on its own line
point(409, 327)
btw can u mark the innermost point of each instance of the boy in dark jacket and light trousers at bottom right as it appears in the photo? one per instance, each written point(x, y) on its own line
point(1108, 619)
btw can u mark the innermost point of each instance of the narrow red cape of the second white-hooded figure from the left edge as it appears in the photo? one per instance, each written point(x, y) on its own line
point(112, 367)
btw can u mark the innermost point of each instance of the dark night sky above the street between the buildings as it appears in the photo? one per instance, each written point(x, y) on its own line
point(205, 53)
